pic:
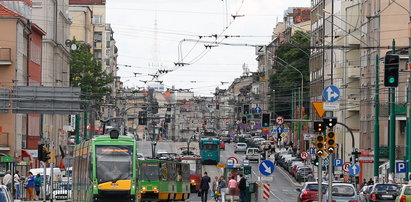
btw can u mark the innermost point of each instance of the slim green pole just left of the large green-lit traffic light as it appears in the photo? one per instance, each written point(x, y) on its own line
point(377, 120)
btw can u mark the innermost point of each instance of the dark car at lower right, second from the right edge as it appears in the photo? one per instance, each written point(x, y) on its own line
point(384, 192)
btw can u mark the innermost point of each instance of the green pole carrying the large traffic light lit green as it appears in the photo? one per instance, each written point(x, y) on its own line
point(392, 128)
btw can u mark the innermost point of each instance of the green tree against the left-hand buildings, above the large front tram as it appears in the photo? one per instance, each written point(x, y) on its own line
point(86, 73)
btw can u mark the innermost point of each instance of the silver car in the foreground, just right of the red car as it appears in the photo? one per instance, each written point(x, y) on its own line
point(342, 192)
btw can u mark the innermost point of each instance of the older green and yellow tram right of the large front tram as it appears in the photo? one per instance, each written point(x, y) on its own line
point(163, 180)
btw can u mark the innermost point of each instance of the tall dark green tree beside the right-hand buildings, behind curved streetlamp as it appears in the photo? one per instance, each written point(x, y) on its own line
point(295, 53)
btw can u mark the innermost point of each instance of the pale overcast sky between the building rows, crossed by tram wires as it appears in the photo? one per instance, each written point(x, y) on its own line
point(144, 51)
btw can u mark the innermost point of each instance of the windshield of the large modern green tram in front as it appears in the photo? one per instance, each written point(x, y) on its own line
point(114, 162)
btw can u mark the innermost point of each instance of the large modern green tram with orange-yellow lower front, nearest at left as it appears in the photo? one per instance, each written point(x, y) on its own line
point(105, 168)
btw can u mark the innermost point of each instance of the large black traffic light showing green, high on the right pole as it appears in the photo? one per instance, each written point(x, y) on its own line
point(391, 68)
